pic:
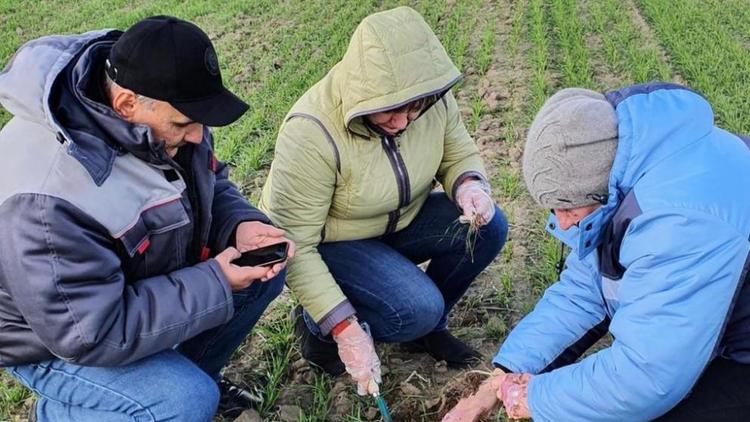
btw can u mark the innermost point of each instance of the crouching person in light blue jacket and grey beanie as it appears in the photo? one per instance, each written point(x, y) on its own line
point(654, 202)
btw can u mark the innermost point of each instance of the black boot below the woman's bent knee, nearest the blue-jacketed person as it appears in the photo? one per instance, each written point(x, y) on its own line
point(441, 345)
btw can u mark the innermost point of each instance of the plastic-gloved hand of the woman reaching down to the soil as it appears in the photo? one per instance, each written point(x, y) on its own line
point(357, 351)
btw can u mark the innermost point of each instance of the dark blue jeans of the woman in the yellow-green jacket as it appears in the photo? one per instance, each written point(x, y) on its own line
point(380, 277)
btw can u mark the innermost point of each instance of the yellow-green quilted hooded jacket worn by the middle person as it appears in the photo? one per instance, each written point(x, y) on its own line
point(333, 178)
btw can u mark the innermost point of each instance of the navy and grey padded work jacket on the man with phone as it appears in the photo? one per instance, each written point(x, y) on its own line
point(104, 238)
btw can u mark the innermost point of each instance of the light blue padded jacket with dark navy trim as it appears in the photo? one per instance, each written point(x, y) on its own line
point(662, 266)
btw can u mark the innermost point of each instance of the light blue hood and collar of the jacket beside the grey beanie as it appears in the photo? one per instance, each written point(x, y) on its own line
point(655, 121)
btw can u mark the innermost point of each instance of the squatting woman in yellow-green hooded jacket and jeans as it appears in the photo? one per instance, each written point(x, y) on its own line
point(352, 183)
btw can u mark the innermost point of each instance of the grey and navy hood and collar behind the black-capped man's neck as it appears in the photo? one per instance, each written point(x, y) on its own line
point(50, 81)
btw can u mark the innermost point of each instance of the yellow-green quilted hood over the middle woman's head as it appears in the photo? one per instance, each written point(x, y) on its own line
point(393, 58)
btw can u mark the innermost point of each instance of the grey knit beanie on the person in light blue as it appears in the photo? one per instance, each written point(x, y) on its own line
point(570, 149)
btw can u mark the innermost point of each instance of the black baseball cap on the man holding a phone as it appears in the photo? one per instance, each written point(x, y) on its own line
point(172, 60)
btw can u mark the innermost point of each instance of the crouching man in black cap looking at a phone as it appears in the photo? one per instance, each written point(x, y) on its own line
point(118, 300)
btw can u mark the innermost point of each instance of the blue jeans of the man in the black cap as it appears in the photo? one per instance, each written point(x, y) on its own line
point(172, 385)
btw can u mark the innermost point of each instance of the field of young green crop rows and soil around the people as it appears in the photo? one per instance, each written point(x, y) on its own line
point(513, 55)
